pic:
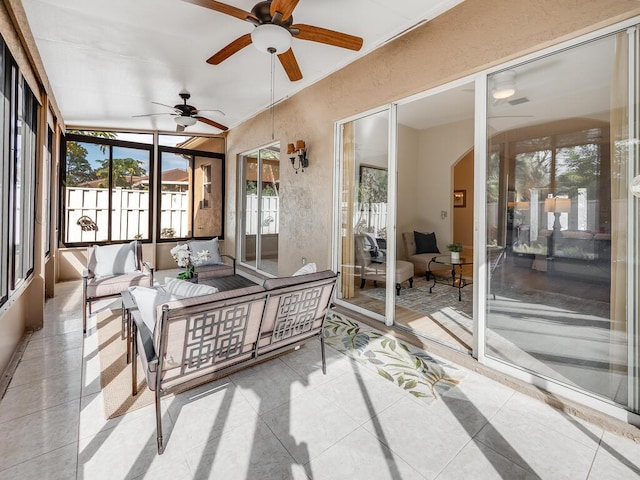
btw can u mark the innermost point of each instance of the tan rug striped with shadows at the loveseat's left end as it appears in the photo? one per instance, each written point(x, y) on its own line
point(115, 372)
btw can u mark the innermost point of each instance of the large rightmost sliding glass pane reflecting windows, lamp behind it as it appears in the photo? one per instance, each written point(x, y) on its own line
point(562, 302)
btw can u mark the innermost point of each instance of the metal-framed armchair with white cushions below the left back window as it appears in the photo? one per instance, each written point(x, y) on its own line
point(110, 270)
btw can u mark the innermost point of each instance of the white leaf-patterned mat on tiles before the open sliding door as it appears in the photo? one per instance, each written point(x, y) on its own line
point(422, 375)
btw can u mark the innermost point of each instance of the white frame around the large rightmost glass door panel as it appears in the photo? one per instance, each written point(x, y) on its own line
point(633, 282)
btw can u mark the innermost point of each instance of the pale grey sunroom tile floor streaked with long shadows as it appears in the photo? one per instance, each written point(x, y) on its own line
point(284, 419)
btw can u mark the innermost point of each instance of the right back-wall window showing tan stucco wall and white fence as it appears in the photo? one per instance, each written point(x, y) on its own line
point(191, 193)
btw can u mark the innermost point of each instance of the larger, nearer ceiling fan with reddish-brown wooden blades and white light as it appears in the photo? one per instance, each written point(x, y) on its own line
point(274, 31)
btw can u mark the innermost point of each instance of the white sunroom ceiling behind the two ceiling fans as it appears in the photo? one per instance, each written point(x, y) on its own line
point(108, 60)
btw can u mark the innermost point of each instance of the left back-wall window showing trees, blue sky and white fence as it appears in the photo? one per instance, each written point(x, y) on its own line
point(106, 190)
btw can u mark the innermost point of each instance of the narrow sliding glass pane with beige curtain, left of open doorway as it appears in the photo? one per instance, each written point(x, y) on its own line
point(364, 216)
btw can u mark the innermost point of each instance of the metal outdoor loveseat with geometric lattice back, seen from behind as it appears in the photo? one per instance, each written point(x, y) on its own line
point(199, 339)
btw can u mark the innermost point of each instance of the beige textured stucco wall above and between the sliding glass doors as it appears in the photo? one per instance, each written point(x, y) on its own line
point(469, 38)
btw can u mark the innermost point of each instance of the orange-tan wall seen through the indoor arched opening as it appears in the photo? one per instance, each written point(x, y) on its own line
point(463, 216)
